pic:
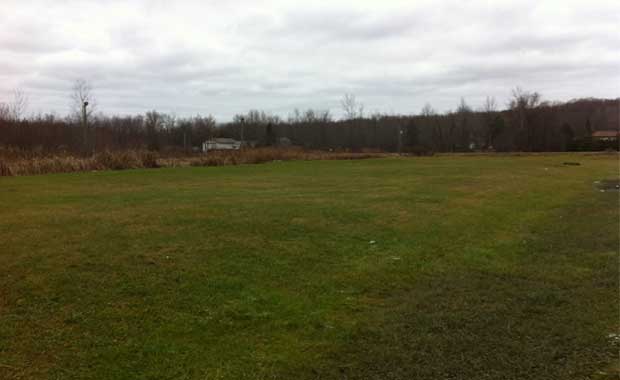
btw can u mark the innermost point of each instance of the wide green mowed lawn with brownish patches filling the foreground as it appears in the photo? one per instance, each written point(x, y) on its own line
point(450, 267)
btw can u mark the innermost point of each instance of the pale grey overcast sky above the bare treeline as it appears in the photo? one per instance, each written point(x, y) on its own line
point(225, 57)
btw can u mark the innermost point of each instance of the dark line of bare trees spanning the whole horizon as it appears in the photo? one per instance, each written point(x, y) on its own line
point(528, 125)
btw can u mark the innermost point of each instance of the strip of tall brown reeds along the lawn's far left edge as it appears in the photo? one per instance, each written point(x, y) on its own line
point(15, 163)
